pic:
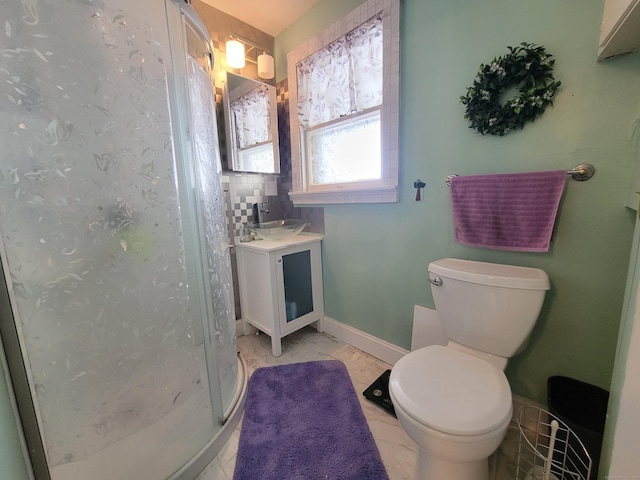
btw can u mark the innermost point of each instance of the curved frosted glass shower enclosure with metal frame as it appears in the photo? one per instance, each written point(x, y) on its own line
point(121, 336)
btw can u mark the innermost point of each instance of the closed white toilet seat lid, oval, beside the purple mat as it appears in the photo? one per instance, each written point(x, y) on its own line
point(451, 391)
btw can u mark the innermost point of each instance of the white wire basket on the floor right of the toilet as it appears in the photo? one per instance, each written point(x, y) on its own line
point(548, 449)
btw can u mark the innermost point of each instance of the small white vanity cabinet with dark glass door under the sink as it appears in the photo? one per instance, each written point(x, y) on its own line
point(281, 286)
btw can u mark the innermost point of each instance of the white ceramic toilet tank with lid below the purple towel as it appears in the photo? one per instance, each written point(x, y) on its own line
point(487, 306)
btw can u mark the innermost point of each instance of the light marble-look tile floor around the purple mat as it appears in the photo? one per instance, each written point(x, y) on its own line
point(396, 448)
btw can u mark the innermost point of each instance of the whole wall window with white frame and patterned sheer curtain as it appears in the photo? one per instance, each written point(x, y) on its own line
point(344, 96)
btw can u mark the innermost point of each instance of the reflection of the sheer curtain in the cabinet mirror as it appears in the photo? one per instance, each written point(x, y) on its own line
point(251, 117)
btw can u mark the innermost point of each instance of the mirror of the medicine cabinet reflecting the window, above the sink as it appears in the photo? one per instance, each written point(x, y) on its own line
point(251, 125)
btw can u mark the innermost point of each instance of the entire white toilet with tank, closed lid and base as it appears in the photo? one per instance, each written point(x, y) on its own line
point(454, 401)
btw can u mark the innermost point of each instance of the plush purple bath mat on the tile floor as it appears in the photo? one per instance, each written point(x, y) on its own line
point(303, 421)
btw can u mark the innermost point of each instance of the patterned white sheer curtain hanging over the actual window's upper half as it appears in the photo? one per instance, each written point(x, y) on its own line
point(343, 78)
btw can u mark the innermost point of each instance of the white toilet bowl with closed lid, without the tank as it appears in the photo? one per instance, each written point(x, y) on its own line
point(457, 412)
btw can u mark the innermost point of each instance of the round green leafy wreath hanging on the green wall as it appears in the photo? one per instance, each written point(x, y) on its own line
point(529, 69)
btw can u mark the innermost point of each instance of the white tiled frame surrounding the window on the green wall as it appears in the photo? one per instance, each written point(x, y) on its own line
point(384, 190)
